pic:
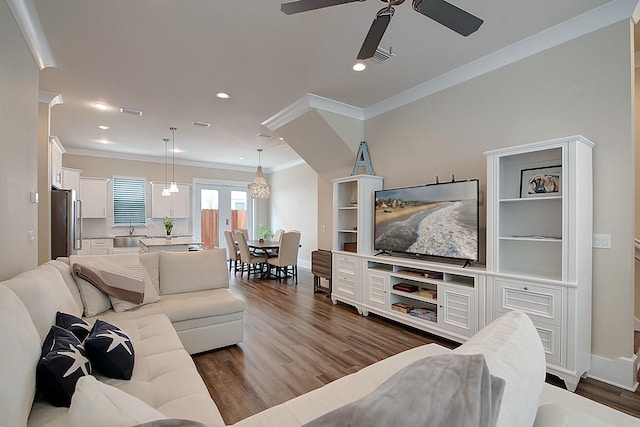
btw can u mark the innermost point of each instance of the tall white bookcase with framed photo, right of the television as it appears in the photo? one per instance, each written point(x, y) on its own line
point(539, 246)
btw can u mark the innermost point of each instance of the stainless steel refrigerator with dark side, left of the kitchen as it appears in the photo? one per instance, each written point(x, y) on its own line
point(66, 223)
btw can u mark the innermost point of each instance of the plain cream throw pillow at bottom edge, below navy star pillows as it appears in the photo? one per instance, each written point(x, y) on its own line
point(97, 404)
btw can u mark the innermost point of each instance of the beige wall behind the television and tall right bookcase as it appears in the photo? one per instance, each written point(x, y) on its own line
point(584, 86)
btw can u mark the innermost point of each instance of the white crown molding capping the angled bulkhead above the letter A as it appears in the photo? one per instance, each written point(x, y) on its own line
point(306, 104)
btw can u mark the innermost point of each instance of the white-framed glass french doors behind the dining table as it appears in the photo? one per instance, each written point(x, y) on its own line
point(219, 208)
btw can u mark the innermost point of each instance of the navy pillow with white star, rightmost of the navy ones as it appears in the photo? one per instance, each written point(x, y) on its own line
point(110, 350)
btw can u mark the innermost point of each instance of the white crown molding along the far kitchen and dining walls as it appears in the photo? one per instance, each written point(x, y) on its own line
point(153, 159)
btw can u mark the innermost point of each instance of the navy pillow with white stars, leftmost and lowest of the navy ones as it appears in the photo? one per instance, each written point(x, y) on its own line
point(62, 363)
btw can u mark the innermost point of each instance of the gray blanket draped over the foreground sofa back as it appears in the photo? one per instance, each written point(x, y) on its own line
point(445, 390)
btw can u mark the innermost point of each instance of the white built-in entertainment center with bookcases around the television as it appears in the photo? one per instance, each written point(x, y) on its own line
point(538, 257)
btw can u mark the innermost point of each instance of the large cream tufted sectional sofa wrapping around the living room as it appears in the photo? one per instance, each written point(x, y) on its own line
point(166, 384)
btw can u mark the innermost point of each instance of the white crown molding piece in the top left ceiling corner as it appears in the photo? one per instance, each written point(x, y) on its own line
point(27, 18)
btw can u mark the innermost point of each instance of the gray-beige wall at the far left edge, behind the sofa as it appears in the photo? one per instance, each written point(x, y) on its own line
point(18, 162)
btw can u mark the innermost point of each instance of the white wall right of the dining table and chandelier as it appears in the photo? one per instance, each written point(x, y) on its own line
point(294, 206)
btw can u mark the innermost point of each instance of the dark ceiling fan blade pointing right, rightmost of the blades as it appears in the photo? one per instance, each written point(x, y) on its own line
point(448, 15)
